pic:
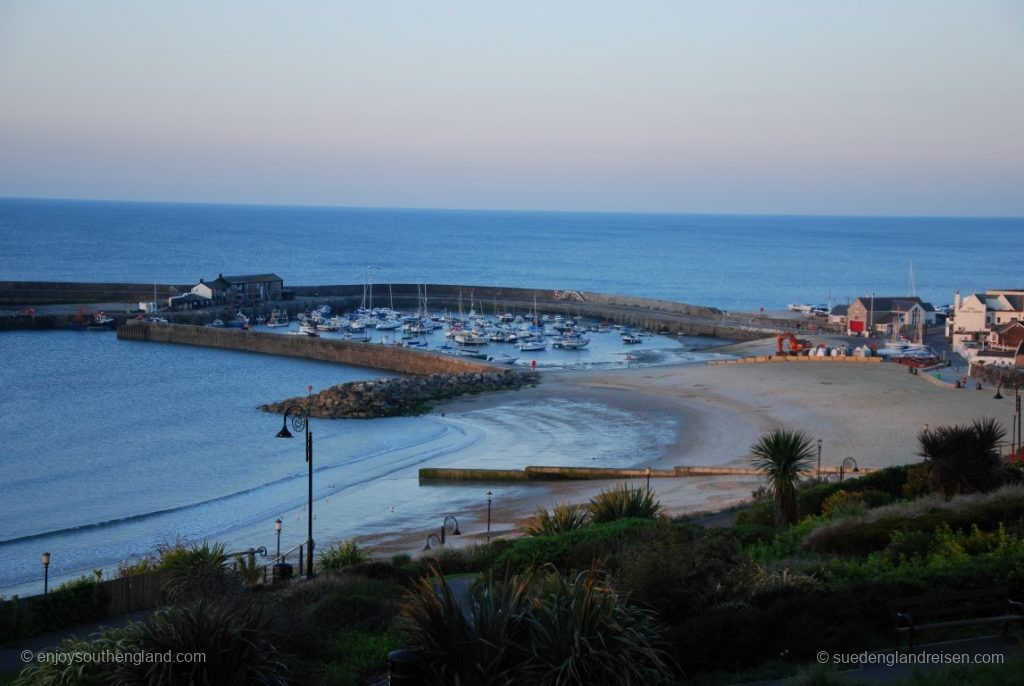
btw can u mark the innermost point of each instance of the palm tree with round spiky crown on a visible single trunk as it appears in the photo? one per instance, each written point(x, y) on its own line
point(783, 457)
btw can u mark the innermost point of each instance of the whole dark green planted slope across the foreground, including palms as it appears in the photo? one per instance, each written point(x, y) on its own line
point(615, 592)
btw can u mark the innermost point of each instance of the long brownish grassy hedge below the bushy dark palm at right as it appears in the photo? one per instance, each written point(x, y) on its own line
point(874, 531)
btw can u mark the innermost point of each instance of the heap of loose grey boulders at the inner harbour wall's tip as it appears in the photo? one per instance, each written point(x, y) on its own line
point(405, 396)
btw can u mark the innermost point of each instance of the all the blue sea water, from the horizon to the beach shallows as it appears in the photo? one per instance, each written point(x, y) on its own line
point(112, 449)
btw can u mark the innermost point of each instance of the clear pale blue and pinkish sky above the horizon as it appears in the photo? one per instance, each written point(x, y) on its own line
point(822, 107)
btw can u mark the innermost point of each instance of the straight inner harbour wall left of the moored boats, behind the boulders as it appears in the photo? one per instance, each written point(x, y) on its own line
point(395, 359)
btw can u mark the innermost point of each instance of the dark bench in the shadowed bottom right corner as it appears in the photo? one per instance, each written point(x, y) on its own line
point(954, 610)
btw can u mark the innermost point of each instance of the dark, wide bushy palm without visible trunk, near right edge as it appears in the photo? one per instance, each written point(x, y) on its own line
point(963, 459)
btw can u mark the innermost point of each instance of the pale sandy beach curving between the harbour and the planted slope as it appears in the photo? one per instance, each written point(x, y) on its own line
point(870, 412)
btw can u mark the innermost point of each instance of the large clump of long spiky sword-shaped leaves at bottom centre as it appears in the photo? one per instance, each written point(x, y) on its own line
point(536, 628)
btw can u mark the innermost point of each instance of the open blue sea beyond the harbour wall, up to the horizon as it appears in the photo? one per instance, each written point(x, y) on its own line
point(735, 263)
